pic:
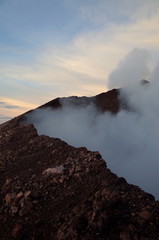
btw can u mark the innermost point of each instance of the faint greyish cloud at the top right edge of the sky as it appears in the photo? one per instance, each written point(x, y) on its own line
point(118, 11)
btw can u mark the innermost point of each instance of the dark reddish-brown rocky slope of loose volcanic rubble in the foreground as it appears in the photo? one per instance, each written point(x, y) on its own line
point(50, 190)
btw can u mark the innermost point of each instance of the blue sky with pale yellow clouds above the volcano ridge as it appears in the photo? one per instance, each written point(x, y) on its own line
point(51, 48)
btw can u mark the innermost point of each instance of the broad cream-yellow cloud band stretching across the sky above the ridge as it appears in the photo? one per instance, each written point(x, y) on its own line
point(91, 55)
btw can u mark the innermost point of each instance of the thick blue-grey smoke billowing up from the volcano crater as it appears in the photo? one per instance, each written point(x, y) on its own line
point(129, 140)
